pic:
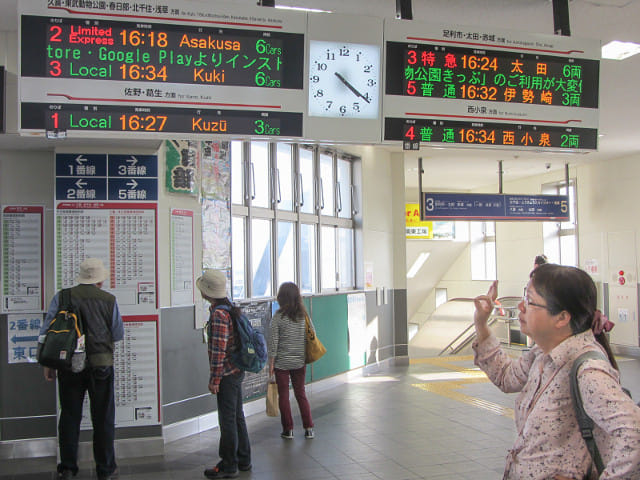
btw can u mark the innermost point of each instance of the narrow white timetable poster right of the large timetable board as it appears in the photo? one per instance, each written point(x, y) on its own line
point(181, 257)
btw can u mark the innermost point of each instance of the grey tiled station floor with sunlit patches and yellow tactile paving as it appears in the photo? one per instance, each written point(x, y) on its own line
point(436, 419)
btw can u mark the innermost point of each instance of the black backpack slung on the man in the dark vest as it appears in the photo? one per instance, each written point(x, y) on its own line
point(63, 345)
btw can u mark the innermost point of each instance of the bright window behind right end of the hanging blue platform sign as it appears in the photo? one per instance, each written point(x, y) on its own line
point(561, 238)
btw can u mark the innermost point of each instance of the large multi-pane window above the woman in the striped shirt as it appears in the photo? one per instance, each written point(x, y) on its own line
point(290, 202)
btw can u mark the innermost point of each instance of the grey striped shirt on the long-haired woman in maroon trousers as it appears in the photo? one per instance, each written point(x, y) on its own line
point(286, 341)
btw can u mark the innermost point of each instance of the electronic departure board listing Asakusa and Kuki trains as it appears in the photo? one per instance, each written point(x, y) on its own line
point(99, 49)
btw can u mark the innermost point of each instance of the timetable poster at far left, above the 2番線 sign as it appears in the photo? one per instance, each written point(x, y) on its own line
point(22, 257)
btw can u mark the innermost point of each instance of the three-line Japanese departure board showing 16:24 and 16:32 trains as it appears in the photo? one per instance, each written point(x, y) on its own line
point(490, 75)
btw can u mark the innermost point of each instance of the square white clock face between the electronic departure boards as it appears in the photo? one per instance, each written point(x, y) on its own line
point(344, 80)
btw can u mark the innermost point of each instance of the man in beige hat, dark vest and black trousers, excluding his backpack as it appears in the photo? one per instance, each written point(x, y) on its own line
point(103, 326)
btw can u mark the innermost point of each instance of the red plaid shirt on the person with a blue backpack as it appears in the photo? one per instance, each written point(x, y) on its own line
point(221, 344)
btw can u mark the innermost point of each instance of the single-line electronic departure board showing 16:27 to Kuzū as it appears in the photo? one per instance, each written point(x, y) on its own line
point(159, 120)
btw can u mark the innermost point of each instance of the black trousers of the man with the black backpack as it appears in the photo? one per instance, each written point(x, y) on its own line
point(98, 381)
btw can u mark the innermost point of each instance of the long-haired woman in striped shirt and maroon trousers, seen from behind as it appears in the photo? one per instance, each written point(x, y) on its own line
point(286, 357)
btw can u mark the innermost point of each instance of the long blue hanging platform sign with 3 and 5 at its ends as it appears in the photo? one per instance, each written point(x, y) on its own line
point(489, 206)
